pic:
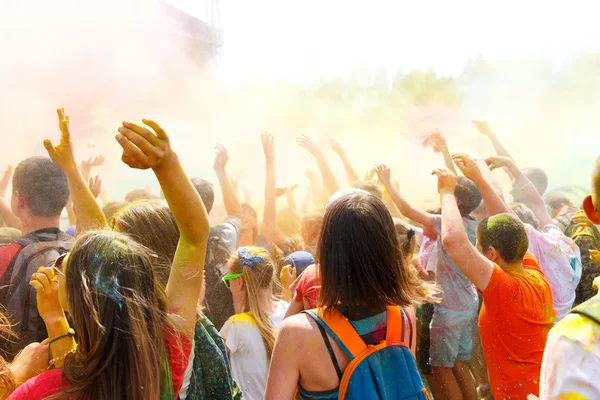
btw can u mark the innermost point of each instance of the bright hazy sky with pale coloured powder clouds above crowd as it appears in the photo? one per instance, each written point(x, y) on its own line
point(360, 72)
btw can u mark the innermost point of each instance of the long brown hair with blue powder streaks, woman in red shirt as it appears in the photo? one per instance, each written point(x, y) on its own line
point(119, 313)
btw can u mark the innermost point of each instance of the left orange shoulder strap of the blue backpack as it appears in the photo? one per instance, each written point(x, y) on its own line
point(338, 327)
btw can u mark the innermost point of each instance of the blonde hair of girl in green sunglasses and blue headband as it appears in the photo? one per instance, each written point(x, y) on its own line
point(257, 278)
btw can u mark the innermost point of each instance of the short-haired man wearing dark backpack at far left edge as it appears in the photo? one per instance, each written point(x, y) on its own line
point(40, 192)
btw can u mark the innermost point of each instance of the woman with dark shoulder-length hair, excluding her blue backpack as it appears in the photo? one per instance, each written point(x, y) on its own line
point(363, 273)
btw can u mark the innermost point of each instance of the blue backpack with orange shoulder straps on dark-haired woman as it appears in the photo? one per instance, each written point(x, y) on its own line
point(383, 371)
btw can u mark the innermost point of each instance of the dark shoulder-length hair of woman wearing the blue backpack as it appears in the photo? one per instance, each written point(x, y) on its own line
point(360, 262)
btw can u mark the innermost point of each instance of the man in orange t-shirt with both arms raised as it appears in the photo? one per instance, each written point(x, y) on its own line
point(517, 308)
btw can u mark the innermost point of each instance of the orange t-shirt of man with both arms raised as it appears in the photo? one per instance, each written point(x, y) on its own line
point(514, 321)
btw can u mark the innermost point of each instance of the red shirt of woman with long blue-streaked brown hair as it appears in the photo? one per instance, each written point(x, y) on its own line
point(47, 384)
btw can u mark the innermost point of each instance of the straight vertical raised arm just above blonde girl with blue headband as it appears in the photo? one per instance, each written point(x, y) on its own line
point(270, 211)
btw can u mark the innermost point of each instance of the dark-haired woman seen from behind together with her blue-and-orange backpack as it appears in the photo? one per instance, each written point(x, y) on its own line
point(364, 284)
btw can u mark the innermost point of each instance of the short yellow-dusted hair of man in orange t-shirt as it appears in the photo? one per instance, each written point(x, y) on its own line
point(505, 233)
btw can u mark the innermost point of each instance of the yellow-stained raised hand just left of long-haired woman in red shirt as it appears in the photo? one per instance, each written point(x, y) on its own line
point(45, 283)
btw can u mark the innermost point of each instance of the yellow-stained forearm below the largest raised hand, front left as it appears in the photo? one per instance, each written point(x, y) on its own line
point(184, 201)
